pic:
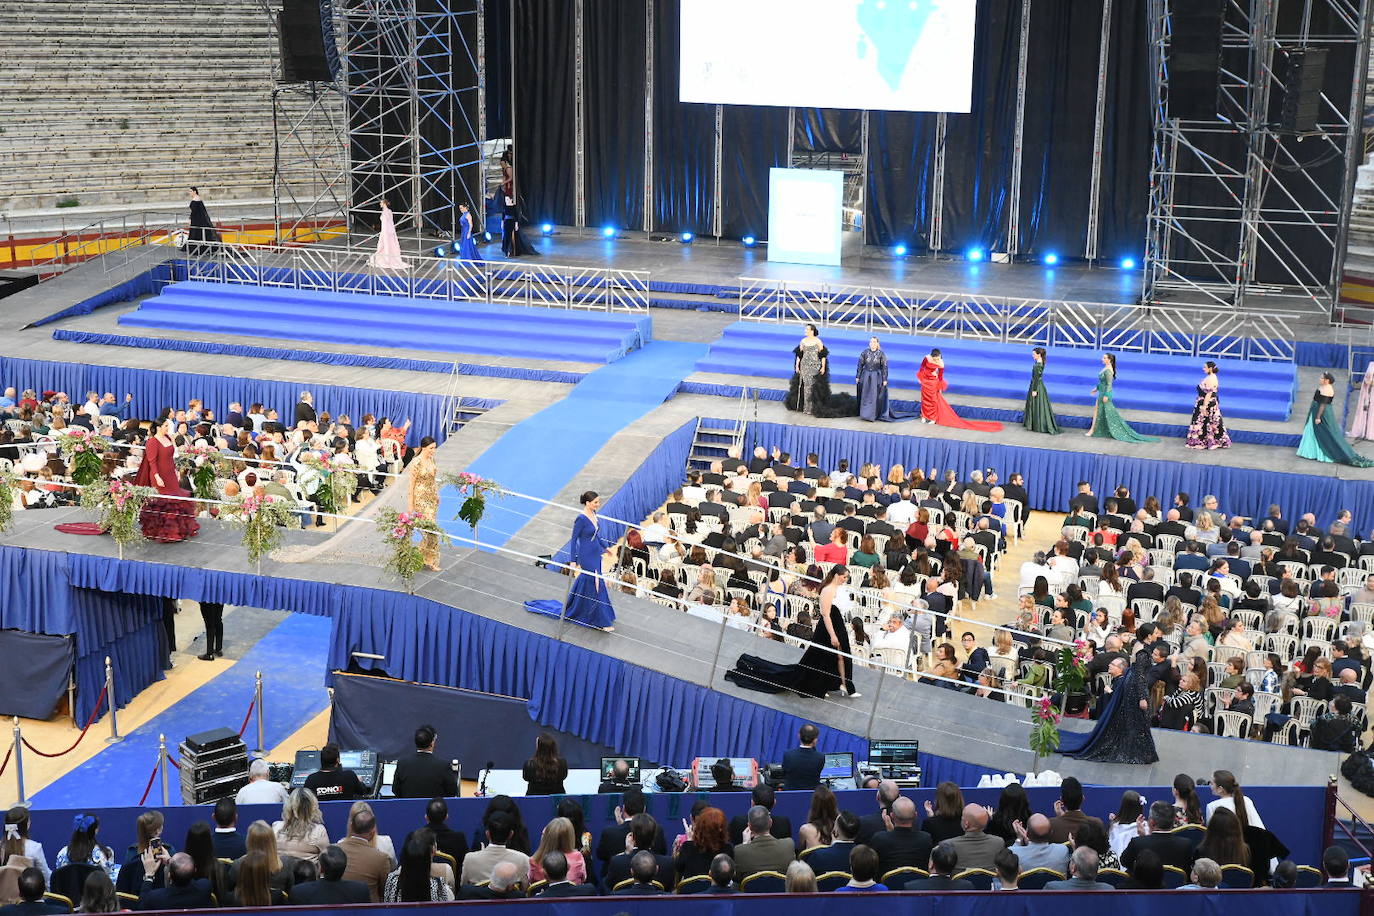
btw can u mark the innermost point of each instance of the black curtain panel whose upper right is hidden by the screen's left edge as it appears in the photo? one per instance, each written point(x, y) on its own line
point(685, 138)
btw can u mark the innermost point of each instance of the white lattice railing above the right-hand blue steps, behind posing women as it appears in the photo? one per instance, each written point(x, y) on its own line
point(1100, 326)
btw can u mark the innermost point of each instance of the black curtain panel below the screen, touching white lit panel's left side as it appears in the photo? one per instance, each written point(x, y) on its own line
point(754, 141)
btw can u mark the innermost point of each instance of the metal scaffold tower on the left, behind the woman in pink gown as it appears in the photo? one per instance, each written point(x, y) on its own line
point(414, 71)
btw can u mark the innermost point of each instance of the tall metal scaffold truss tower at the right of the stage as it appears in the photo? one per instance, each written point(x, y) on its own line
point(1244, 215)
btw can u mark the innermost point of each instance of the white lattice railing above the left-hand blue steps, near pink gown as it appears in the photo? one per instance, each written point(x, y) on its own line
point(339, 270)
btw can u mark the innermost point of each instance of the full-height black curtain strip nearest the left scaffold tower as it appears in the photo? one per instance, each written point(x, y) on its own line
point(543, 76)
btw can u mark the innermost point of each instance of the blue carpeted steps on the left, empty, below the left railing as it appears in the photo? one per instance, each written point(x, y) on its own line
point(394, 322)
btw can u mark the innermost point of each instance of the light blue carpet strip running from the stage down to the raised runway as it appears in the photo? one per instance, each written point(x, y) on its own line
point(541, 455)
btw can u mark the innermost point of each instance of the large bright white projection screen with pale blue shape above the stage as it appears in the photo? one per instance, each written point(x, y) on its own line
point(881, 56)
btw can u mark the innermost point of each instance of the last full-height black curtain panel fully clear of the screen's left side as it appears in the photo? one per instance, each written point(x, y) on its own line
point(613, 65)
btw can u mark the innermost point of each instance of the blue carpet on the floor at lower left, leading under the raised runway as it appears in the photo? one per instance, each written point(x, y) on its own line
point(292, 660)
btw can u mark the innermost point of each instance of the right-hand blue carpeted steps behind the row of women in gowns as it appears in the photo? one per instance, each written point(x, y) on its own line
point(1251, 391)
